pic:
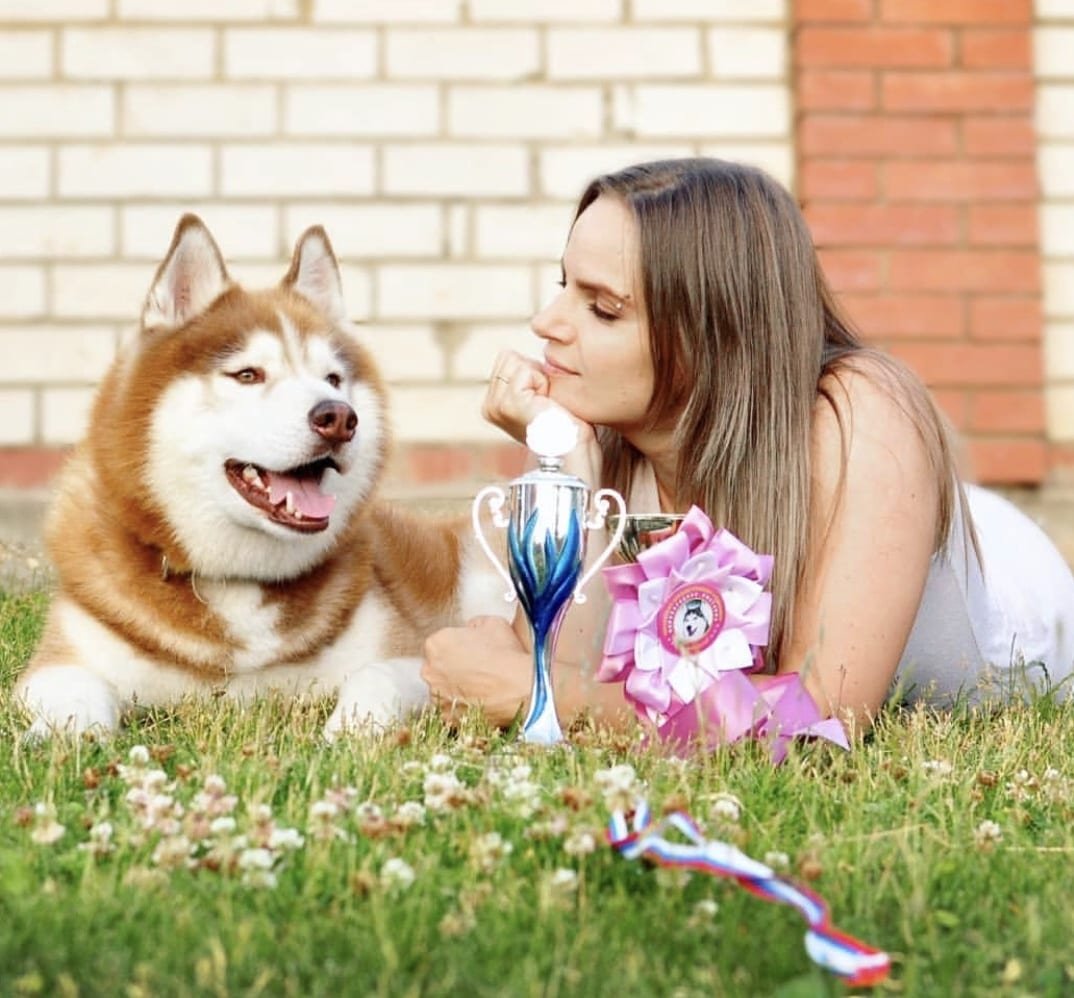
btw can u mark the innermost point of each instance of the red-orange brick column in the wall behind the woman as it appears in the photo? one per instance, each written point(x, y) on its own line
point(918, 176)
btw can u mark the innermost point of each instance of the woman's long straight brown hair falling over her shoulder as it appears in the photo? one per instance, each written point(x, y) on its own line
point(745, 337)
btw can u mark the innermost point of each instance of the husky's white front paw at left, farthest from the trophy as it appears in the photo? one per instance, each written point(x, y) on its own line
point(68, 701)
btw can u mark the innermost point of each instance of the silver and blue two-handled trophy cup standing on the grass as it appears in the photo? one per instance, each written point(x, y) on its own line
point(546, 523)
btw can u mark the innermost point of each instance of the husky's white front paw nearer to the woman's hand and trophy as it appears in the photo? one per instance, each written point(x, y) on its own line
point(378, 697)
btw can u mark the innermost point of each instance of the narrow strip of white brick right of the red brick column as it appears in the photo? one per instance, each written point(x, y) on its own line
point(1053, 45)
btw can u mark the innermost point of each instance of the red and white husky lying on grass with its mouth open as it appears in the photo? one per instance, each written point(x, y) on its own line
point(216, 532)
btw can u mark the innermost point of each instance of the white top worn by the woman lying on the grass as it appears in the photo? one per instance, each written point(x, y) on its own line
point(985, 632)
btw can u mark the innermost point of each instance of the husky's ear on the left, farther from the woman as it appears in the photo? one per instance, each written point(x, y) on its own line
point(188, 281)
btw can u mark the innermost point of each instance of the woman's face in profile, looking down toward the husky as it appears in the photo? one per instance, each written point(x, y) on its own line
point(596, 331)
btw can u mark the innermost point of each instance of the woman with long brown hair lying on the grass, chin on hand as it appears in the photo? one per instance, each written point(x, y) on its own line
point(700, 350)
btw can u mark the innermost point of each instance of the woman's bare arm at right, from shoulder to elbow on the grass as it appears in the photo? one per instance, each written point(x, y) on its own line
point(875, 528)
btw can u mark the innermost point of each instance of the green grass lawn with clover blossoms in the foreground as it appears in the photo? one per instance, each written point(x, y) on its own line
point(890, 834)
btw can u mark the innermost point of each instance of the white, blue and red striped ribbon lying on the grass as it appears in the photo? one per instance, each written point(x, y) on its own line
point(860, 965)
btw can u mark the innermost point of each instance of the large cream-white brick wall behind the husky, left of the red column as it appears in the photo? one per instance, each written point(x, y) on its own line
point(441, 142)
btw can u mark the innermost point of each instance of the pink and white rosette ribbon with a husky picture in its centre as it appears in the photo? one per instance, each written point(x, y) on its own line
point(688, 624)
